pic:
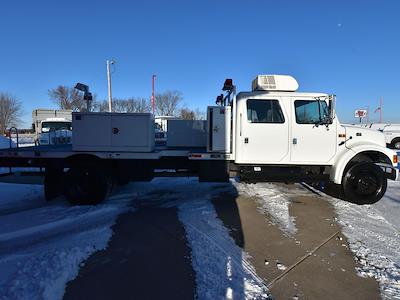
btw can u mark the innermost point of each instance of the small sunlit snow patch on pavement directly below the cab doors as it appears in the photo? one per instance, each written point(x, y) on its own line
point(274, 200)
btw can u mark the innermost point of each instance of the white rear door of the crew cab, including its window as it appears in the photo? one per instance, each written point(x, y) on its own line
point(263, 131)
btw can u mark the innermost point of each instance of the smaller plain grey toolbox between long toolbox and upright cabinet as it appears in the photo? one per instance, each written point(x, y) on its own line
point(187, 133)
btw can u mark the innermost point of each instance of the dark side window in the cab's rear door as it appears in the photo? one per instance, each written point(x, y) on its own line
point(264, 111)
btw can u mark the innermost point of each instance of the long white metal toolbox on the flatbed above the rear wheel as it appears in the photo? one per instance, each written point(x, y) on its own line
point(133, 132)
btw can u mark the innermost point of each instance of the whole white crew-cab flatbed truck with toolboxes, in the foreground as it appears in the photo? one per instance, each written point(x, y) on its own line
point(272, 133)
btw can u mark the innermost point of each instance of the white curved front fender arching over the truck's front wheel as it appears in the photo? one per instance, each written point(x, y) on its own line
point(344, 157)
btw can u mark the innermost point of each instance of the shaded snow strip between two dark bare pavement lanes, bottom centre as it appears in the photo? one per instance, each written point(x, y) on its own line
point(227, 273)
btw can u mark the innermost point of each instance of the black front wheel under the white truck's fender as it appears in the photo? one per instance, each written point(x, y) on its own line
point(364, 183)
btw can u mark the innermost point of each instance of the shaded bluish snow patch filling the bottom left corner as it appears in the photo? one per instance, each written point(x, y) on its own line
point(42, 272)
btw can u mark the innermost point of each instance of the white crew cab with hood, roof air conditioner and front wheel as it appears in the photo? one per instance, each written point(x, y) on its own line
point(286, 135)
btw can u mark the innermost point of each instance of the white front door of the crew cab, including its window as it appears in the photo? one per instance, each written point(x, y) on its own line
point(312, 142)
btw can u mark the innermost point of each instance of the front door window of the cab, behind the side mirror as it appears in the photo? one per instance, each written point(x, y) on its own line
point(310, 112)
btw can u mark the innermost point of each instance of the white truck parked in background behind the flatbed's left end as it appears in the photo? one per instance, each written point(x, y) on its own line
point(52, 126)
